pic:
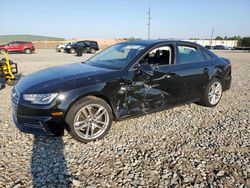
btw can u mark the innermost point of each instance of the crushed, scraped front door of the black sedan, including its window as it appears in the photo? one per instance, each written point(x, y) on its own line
point(152, 84)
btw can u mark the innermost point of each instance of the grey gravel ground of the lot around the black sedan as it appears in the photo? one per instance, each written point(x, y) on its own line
point(187, 146)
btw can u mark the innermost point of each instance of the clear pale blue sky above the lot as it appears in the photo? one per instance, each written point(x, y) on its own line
point(124, 18)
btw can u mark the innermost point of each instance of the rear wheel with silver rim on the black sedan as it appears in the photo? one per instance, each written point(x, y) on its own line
point(212, 93)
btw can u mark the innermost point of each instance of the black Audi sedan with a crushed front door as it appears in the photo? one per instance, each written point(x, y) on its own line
point(125, 80)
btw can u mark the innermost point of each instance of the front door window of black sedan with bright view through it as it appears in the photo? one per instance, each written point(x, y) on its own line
point(158, 56)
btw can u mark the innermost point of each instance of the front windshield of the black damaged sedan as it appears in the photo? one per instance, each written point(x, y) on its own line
point(116, 57)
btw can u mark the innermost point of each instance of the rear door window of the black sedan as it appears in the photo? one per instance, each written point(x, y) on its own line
point(189, 54)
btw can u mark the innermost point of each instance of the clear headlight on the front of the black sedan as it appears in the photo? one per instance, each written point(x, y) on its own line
point(40, 98)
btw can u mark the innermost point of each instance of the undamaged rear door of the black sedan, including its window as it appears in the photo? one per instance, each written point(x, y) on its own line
point(193, 72)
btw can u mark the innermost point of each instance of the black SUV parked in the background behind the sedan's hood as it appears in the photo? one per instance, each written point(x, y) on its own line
point(86, 46)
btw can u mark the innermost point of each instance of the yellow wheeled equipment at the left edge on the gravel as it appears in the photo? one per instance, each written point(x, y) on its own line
point(8, 70)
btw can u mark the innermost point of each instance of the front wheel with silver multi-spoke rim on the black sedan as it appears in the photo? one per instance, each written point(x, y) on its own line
point(89, 119)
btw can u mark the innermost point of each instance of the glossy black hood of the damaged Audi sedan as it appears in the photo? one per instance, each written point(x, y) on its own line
point(61, 78)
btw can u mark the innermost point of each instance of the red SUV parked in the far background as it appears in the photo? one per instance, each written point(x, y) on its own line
point(18, 46)
